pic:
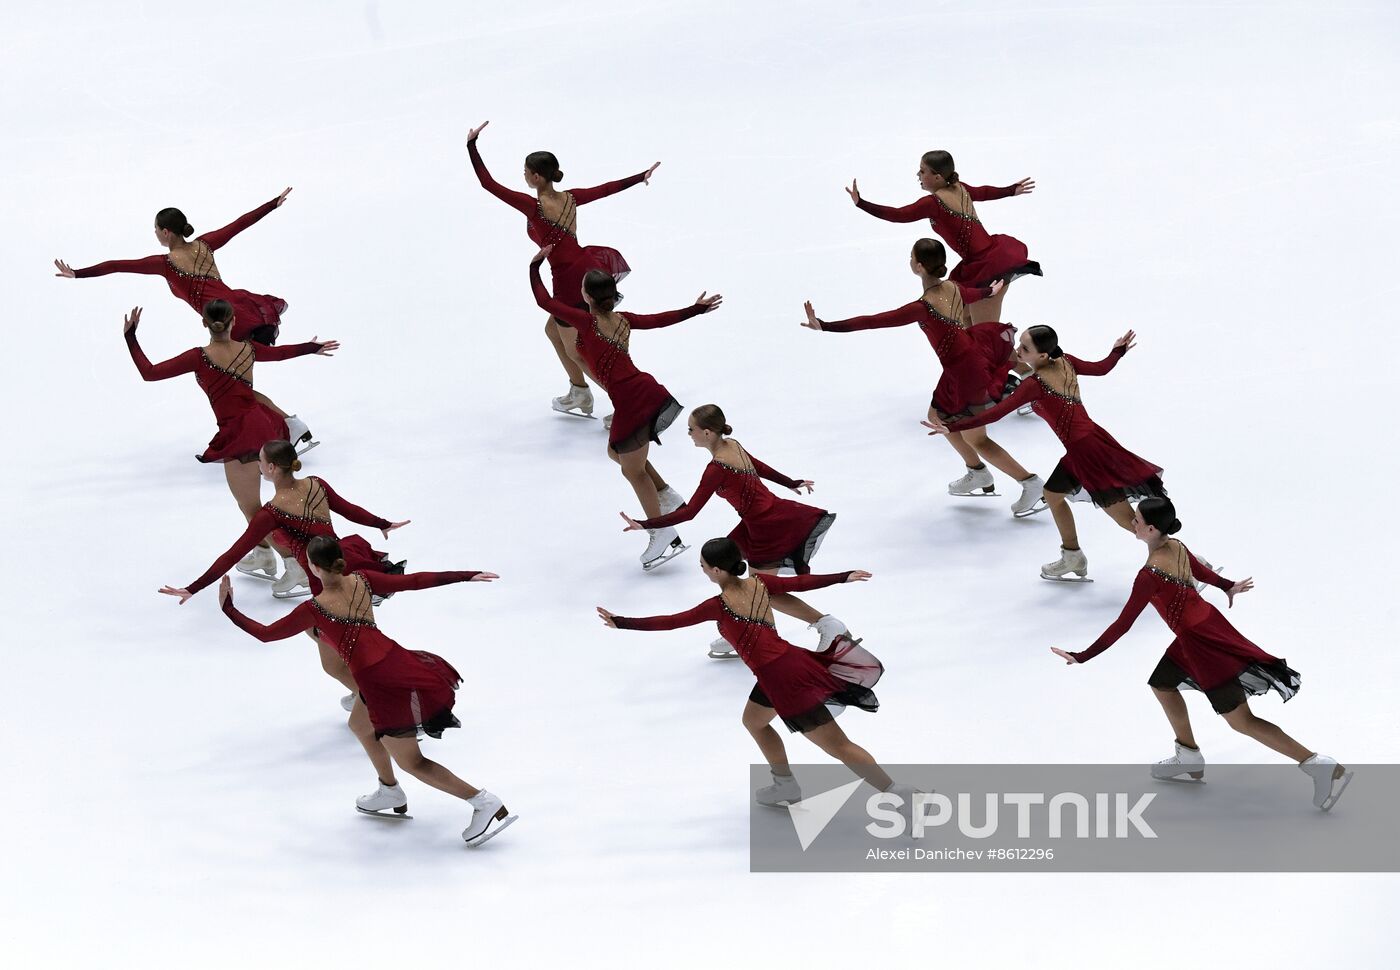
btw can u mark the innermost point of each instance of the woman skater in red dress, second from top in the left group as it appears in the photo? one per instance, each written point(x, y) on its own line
point(225, 372)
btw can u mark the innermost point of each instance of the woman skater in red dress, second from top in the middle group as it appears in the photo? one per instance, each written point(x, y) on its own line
point(642, 408)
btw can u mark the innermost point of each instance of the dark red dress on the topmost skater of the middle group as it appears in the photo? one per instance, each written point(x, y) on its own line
point(569, 262)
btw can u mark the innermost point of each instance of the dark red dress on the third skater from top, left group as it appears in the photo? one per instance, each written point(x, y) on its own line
point(297, 530)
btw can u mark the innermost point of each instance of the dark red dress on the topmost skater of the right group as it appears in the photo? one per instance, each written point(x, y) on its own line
point(983, 257)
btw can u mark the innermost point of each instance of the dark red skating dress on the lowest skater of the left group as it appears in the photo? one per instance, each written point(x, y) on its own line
point(407, 692)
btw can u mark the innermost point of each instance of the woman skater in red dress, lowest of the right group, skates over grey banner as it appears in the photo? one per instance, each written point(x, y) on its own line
point(1209, 656)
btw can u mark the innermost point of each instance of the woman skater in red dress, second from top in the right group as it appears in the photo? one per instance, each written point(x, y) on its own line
point(976, 362)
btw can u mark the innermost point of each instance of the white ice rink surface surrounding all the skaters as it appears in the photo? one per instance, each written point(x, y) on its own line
point(1217, 177)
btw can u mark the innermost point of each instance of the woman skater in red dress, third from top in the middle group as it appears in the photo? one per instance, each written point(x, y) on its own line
point(773, 533)
